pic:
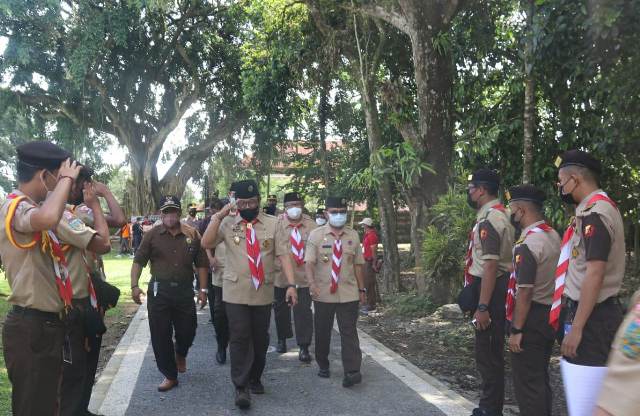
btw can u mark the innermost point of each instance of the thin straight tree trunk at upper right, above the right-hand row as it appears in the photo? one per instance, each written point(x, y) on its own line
point(529, 98)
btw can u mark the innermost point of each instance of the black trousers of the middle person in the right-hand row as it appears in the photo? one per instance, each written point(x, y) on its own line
point(531, 366)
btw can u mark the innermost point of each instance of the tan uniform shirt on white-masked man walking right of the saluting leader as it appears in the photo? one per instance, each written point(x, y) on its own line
point(319, 252)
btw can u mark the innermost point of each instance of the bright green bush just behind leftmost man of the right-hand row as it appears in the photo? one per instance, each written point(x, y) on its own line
point(445, 241)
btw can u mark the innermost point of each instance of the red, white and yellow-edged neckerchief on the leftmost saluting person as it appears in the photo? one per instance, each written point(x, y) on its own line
point(49, 244)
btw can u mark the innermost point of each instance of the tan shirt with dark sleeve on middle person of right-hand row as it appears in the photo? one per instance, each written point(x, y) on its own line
point(535, 259)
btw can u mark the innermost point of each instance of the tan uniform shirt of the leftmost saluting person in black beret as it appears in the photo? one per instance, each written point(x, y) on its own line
point(30, 272)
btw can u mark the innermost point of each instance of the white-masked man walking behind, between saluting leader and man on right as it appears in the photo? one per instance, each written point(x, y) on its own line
point(295, 228)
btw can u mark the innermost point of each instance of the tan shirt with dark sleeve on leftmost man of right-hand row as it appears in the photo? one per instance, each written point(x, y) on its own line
point(492, 239)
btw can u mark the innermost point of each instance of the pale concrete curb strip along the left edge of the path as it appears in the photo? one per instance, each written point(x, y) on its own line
point(114, 388)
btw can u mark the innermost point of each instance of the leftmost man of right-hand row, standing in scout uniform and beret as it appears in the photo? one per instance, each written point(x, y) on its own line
point(488, 272)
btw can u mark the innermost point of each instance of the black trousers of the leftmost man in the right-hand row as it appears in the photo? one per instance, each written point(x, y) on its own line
point(489, 346)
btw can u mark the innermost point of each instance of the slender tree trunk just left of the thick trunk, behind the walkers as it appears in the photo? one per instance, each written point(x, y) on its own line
point(388, 220)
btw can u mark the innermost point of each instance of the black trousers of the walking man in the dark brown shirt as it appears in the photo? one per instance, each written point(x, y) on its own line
point(172, 309)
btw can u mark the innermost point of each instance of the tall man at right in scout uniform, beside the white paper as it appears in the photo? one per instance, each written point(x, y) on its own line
point(594, 265)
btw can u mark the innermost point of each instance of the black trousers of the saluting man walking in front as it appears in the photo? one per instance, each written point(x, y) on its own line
point(249, 340)
